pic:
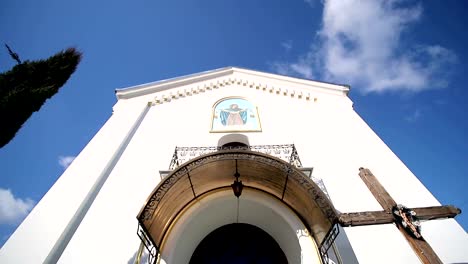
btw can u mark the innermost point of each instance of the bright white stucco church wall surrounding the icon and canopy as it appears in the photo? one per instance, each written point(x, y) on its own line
point(327, 132)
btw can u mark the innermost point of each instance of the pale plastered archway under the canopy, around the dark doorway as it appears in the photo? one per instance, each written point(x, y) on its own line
point(219, 208)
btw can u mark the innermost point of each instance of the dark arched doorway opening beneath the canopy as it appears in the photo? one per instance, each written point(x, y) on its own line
point(238, 244)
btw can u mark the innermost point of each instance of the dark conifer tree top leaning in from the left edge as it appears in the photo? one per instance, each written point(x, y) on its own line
point(25, 87)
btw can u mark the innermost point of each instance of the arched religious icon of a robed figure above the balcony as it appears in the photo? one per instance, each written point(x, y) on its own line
point(235, 114)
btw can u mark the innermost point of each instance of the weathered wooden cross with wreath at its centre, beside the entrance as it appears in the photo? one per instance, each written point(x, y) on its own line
point(422, 249)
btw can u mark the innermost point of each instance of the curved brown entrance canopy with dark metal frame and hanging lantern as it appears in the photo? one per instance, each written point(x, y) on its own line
point(214, 171)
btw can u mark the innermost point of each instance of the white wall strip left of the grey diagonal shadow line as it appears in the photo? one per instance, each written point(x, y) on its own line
point(44, 226)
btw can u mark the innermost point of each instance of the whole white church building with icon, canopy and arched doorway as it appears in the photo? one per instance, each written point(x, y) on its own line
point(237, 166)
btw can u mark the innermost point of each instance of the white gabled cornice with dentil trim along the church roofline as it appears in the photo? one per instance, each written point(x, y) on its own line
point(167, 90)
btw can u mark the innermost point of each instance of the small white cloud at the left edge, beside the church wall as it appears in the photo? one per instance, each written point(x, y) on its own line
point(12, 209)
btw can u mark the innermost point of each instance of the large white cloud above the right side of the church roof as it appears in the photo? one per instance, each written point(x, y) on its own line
point(360, 43)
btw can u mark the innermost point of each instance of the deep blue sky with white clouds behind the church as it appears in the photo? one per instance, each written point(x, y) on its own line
point(405, 62)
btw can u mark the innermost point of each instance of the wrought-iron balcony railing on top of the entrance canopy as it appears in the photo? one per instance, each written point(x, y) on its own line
point(285, 152)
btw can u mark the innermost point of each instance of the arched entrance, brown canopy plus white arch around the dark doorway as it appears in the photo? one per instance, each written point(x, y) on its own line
point(196, 199)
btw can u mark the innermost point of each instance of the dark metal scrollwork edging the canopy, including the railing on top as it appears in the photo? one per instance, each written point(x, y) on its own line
point(282, 157)
